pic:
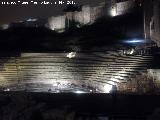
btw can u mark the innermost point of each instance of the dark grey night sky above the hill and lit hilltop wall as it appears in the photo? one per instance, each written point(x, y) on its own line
point(9, 13)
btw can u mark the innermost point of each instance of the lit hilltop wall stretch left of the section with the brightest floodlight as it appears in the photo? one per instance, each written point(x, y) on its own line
point(86, 16)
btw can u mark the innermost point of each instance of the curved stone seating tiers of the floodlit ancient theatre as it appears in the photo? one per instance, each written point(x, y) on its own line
point(42, 71)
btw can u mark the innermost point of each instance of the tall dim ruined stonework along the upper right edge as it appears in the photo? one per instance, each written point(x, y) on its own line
point(152, 20)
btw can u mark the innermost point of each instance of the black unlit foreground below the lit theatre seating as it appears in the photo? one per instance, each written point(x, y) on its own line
point(43, 106)
